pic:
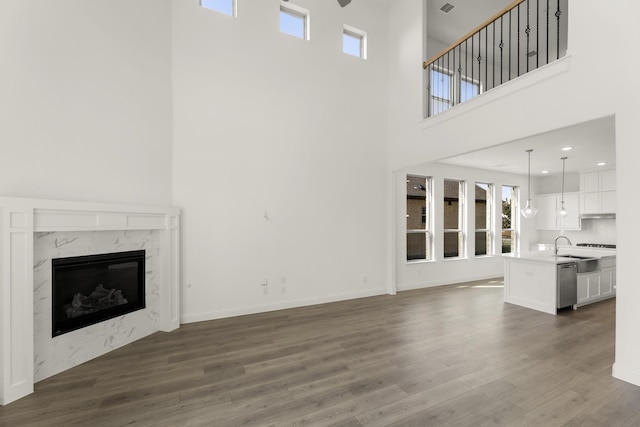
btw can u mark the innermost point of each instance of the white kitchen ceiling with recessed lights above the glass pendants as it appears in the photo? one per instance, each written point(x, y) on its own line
point(592, 142)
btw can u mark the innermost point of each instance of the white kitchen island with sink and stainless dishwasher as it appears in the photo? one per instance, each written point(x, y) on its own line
point(531, 278)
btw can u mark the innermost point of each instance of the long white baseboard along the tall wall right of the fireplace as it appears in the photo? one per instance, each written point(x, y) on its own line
point(263, 308)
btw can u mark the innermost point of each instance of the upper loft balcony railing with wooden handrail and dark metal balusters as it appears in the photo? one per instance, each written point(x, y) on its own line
point(522, 37)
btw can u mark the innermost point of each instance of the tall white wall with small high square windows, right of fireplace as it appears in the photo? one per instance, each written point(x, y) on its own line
point(279, 157)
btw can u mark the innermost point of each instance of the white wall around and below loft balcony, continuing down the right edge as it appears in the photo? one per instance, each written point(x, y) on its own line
point(549, 98)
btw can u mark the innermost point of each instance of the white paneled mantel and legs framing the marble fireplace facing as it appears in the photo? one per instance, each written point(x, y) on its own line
point(20, 219)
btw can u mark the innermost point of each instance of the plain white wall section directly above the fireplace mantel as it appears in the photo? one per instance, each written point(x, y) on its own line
point(86, 100)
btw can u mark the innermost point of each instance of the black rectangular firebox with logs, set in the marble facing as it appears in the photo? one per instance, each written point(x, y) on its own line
point(94, 288)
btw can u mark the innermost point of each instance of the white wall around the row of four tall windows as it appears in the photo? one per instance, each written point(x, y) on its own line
point(412, 275)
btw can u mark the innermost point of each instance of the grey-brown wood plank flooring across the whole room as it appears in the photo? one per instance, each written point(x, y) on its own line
point(453, 355)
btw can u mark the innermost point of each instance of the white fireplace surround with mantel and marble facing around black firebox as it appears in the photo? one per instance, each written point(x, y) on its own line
point(33, 232)
